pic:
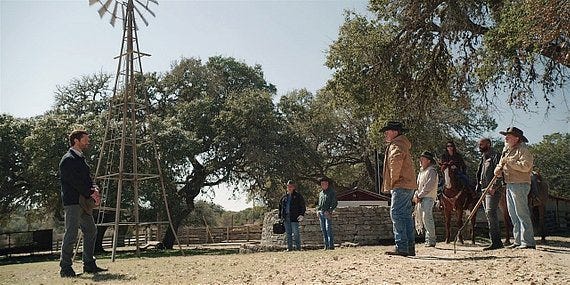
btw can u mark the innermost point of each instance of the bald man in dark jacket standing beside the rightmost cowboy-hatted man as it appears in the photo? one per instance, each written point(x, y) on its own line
point(489, 160)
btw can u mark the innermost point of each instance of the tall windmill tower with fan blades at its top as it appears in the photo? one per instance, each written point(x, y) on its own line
point(121, 169)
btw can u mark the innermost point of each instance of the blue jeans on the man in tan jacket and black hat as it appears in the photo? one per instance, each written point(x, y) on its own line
point(402, 221)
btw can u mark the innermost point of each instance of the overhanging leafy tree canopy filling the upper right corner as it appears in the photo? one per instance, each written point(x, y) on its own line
point(440, 62)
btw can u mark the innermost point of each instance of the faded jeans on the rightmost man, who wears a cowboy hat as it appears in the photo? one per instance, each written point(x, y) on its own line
point(517, 203)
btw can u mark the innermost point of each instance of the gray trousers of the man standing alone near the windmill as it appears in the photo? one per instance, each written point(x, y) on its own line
point(76, 218)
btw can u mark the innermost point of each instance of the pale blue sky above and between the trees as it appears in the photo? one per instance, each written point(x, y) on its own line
point(45, 44)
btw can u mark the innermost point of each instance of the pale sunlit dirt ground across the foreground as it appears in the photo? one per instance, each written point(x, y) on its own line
point(548, 264)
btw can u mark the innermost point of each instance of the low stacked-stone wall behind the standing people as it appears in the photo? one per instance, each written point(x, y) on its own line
point(371, 225)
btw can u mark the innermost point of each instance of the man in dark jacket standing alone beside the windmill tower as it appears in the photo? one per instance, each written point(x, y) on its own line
point(76, 185)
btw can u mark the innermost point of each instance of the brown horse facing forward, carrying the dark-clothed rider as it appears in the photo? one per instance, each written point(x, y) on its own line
point(457, 198)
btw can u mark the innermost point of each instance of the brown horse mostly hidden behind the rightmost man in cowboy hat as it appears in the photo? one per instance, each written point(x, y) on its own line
point(537, 199)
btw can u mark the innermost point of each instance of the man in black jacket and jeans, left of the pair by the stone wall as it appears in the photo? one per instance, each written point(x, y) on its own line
point(291, 210)
